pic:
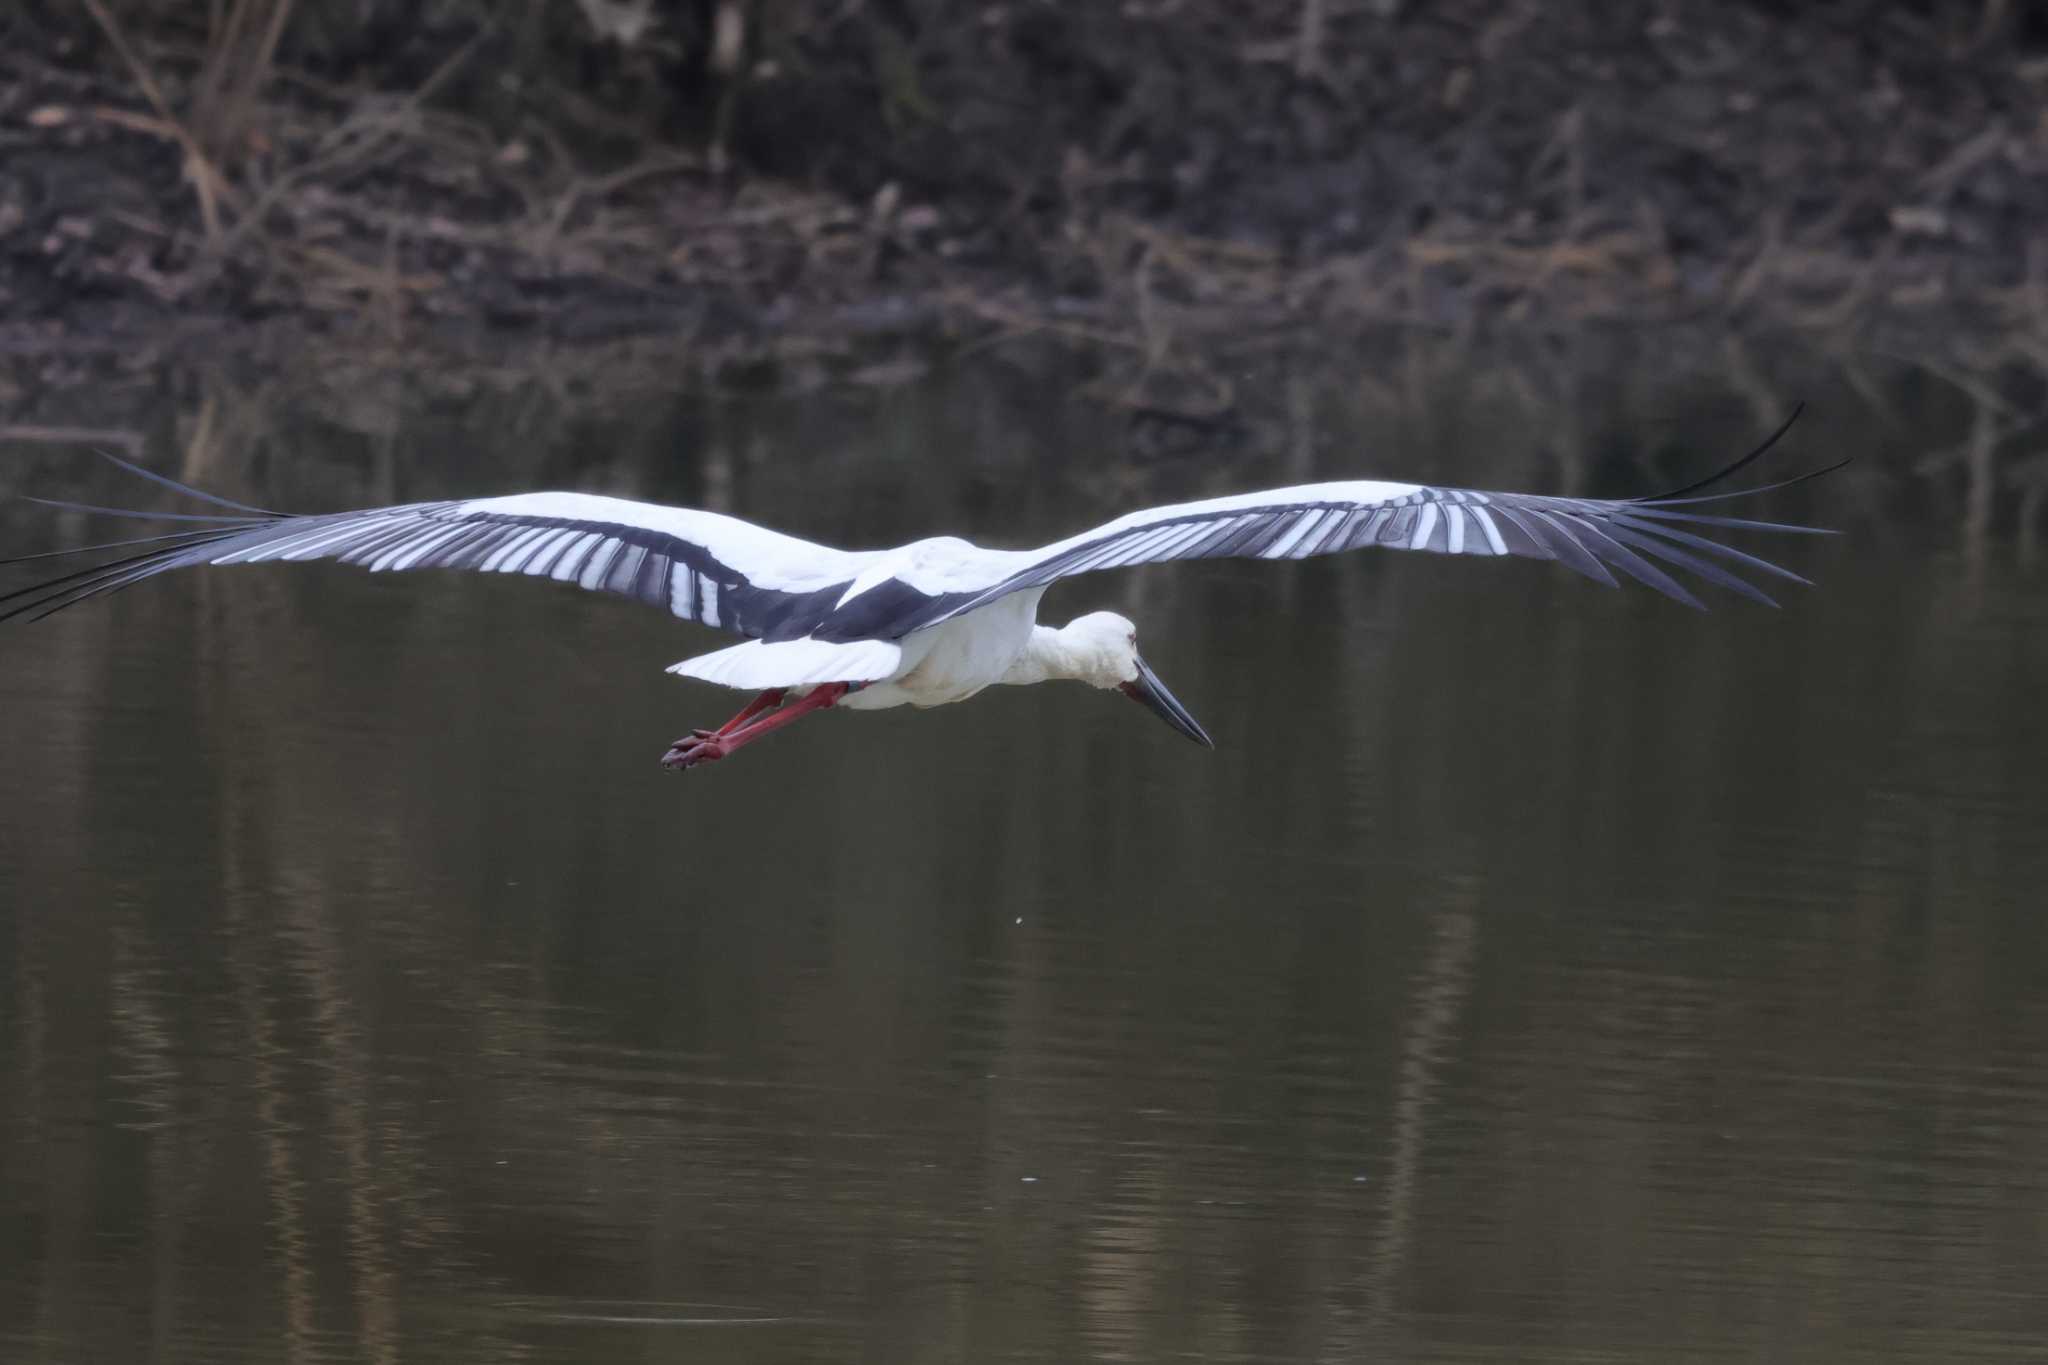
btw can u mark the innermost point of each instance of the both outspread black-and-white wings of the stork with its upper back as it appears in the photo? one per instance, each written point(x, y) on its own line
point(767, 586)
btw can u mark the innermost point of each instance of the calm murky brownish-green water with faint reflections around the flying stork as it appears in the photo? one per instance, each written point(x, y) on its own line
point(1533, 973)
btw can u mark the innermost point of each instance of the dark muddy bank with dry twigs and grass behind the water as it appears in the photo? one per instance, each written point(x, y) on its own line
point(1181, 183)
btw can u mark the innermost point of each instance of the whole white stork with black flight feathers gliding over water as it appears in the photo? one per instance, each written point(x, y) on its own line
point(935, 621)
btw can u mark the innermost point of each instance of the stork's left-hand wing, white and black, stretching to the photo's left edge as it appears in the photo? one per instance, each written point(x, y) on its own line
point(699, 566)
